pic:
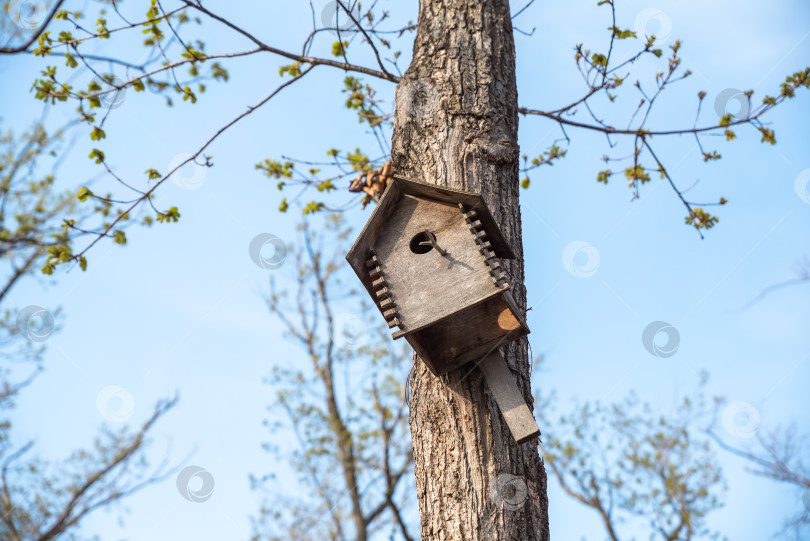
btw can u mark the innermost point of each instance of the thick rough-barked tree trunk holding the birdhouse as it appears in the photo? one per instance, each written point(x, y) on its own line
point(456, 125)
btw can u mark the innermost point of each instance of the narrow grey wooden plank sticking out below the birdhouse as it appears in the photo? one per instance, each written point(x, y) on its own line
point(510, 400)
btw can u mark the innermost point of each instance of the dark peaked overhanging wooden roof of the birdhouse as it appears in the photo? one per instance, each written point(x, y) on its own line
point(399, 187)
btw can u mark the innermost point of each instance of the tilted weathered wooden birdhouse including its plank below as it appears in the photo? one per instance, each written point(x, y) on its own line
point(428, 256)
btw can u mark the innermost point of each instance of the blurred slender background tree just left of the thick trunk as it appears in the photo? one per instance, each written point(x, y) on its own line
point(347, 409)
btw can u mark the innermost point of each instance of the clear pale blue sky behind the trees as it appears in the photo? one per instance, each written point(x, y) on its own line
point(181, 307)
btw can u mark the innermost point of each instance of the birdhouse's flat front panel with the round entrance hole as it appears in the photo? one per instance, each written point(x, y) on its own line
point(424, 284)
